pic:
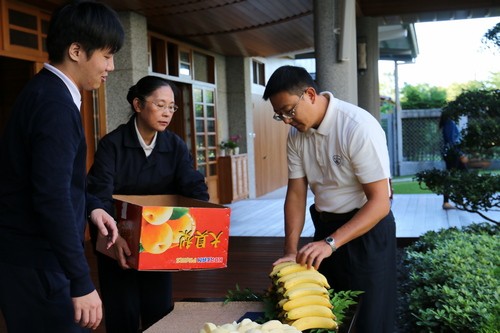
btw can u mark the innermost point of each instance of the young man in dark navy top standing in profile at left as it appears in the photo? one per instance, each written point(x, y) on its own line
point(45, 283)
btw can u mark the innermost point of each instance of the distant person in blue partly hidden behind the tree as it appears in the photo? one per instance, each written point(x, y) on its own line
point(454, 158)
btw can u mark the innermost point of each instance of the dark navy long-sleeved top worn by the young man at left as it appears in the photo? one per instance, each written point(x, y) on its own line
point(42, 183)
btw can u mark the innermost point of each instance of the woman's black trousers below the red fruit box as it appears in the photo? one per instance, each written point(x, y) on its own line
point(133, 300)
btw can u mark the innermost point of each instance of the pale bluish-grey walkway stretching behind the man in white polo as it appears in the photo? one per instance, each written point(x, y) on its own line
point(415, 214)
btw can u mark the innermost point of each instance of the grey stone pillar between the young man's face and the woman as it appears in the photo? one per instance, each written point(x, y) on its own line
point(131, 64)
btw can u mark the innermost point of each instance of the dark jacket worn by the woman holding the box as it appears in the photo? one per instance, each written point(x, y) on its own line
point(121, 167)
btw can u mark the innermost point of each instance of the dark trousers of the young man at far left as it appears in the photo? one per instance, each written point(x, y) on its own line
point(36, 300)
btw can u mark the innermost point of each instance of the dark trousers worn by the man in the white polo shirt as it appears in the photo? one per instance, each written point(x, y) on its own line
point(367, 263)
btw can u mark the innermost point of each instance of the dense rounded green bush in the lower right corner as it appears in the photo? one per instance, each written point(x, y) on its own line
point(453, 280)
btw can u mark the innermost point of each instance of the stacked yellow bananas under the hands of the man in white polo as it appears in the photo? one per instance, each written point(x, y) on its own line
point(302, 296)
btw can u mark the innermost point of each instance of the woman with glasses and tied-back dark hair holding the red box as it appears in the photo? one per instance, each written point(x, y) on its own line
point(141, 158)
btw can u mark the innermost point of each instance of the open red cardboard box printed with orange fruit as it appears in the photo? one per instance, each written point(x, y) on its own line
point(171, 232)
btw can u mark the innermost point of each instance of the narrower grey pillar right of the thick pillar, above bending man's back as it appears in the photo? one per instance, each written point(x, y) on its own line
point(368, 84)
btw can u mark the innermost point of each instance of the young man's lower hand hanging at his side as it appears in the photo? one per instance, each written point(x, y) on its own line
point(88, 310)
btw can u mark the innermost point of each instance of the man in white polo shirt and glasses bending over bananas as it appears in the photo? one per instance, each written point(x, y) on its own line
point(339, 151)
